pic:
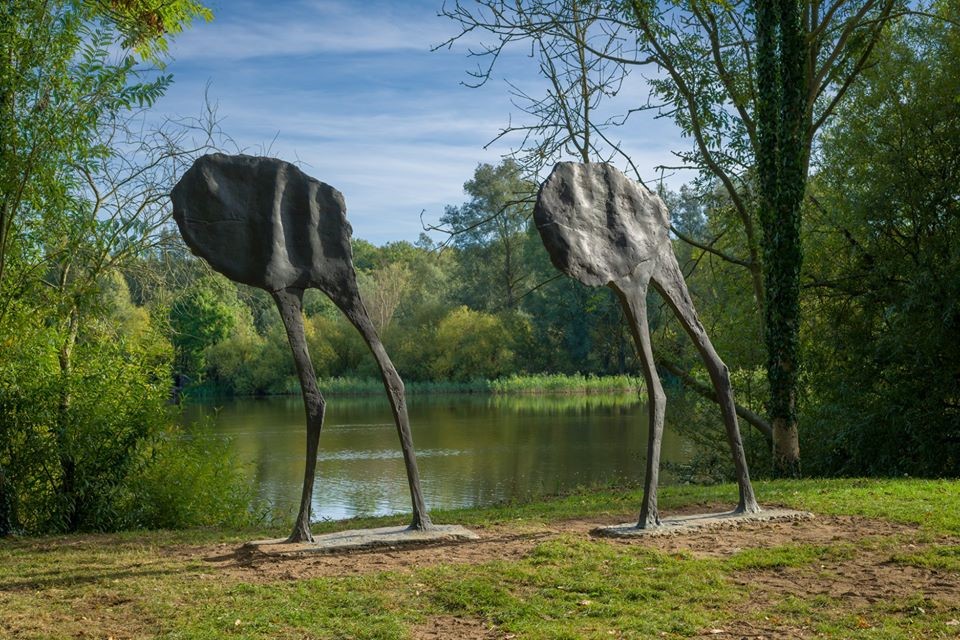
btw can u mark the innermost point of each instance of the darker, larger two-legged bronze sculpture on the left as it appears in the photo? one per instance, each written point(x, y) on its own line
point(265, 223)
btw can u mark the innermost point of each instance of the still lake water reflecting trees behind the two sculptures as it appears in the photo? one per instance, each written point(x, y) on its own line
point(471, 449)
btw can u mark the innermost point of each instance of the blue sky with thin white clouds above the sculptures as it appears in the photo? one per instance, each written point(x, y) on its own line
point(352, 92)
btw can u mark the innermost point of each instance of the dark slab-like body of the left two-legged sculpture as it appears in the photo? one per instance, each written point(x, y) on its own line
point(263, 222)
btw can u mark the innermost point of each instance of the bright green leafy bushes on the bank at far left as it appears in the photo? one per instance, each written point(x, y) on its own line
point(89, 447)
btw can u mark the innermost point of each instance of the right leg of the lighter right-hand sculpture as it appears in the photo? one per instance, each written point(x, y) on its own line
point(669, 281)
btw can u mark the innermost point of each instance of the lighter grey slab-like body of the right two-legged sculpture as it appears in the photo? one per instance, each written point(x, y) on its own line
point(598, 225)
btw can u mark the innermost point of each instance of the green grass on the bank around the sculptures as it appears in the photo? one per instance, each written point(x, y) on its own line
point(137, 585)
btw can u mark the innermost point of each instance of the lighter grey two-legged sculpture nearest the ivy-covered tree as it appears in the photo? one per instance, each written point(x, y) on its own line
point(602, 228)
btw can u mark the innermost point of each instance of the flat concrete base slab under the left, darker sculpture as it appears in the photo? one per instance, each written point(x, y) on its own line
point(362, 539)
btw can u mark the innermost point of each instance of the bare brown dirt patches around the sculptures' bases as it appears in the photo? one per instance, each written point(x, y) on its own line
point(858, 575)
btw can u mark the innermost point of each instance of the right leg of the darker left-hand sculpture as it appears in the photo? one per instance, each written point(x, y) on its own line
point(355, 311)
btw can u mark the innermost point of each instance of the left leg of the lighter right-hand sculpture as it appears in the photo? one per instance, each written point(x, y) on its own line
point(633, 297)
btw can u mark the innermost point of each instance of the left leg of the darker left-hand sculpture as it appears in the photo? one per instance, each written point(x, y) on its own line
point(290, 302)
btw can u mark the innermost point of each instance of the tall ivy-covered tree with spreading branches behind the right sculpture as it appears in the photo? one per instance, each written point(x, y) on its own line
point(707, 56)
